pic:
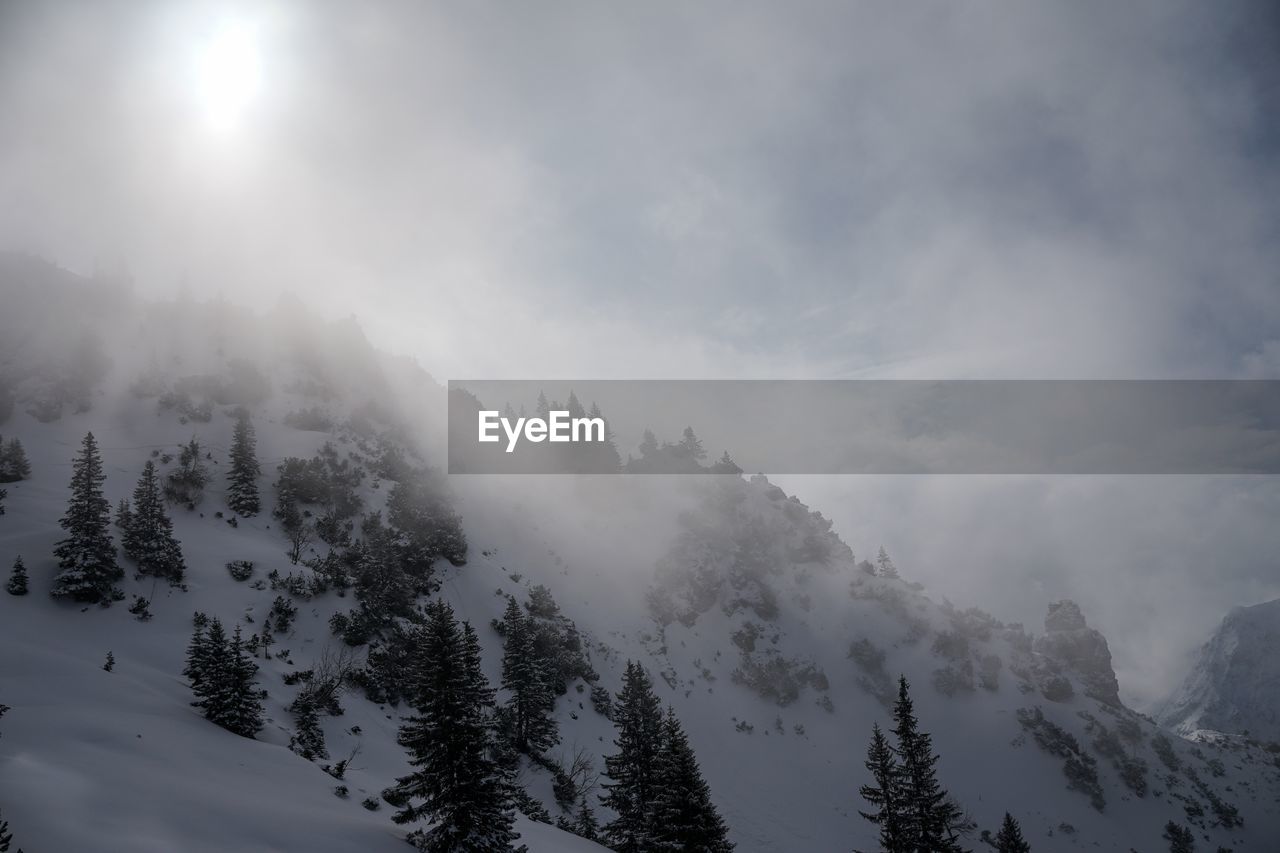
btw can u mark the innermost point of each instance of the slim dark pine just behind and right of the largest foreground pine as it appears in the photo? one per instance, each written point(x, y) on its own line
point(525, 718)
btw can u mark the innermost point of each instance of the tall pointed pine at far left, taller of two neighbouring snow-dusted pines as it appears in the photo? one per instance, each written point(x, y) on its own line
point(86, 558)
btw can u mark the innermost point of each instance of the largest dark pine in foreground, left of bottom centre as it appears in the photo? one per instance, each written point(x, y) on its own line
point(450, 743)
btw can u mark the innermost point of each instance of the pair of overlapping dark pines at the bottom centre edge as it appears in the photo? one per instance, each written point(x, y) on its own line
point(656, 788)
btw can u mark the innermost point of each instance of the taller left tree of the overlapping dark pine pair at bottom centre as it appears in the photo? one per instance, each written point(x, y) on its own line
point(633, 769)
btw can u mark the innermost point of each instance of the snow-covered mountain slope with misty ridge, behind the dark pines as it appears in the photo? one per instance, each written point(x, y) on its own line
point(776, 647)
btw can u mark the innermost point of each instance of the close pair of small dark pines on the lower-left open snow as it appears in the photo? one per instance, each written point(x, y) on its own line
point(222, 676)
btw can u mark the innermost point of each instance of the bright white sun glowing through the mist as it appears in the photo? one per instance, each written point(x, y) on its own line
point(230, 72)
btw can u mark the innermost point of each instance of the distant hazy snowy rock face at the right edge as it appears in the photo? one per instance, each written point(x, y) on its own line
point(1235, 686)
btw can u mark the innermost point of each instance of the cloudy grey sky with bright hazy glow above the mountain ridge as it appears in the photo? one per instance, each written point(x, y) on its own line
point(720, 190)
